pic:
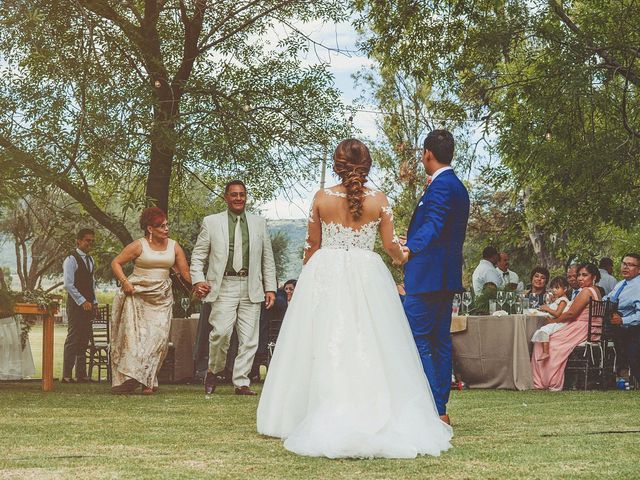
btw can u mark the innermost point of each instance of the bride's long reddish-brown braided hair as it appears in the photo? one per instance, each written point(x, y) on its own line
point(352, 162)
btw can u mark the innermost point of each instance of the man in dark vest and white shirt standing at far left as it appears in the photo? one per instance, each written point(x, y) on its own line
point(79, 283)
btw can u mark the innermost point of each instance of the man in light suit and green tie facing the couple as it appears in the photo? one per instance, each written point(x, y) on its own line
point(241, 275)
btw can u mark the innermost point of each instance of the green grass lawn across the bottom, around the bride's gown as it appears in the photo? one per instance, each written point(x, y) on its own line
point(83, 430)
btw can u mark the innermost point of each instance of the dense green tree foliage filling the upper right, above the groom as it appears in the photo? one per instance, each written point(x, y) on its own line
point(554, 90)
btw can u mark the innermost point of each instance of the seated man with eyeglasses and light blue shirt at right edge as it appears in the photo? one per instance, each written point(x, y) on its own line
point(627, 318)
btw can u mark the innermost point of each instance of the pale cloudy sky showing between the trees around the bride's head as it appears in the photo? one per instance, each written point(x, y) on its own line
point(342, 66)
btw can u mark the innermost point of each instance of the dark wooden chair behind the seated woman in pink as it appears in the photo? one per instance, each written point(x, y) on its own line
point(595, 358)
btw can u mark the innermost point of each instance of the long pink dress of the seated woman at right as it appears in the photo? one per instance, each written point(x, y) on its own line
point(549, 373)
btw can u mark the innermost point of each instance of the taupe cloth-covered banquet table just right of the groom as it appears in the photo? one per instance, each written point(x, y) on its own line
point(494, 352)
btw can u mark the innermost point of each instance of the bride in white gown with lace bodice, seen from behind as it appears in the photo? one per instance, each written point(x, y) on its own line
point(346, 379)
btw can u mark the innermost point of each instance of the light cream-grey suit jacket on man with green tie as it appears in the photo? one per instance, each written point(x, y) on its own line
point(213, 245)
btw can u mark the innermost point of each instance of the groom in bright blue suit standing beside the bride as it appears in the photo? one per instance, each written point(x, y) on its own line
point(433, 273)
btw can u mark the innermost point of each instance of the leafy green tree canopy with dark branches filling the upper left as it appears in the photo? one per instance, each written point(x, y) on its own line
point(120, 104)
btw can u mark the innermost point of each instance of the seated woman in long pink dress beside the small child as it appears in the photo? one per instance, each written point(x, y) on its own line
point(548, 374)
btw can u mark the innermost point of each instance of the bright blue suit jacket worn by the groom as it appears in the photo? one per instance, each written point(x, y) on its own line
point(435, 237)
